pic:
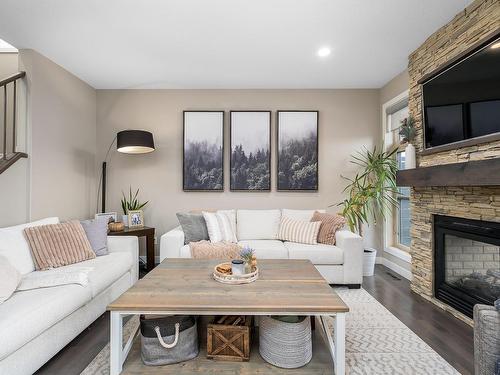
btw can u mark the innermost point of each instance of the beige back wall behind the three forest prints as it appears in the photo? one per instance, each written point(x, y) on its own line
point(348, 121)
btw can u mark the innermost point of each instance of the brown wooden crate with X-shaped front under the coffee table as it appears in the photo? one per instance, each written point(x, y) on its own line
point(228, 338)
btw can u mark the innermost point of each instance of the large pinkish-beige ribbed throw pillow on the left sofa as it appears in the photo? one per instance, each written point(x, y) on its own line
point(58, 245)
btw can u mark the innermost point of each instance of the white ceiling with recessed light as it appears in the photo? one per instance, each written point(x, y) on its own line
point(226, 43)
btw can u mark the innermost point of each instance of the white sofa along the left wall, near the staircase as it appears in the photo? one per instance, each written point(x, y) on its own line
point(35, 324)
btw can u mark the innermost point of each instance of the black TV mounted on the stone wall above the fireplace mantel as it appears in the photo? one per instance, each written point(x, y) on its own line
point(463, 101)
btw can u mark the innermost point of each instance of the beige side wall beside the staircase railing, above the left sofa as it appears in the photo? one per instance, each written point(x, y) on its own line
point(62, 139)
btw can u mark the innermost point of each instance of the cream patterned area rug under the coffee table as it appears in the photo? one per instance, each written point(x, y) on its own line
point(376, 342)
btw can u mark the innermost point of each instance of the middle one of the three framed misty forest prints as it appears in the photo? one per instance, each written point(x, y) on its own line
point(250, 150)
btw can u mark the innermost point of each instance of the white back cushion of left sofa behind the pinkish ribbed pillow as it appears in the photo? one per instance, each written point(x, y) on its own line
point(15, 248)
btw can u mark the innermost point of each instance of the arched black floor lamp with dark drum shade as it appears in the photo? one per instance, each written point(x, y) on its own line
point(127, 142)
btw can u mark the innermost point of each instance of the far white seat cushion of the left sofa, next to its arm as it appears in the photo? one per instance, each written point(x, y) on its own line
point(106, 269)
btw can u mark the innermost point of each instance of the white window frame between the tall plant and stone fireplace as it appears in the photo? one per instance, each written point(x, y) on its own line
point(391, 224)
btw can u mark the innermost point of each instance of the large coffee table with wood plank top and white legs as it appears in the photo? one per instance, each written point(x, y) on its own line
point(186, 287)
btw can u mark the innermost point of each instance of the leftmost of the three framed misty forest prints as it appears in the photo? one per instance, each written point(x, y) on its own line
point(203, 151)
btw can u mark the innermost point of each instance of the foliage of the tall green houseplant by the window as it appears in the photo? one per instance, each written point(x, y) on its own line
point(372, 191)
